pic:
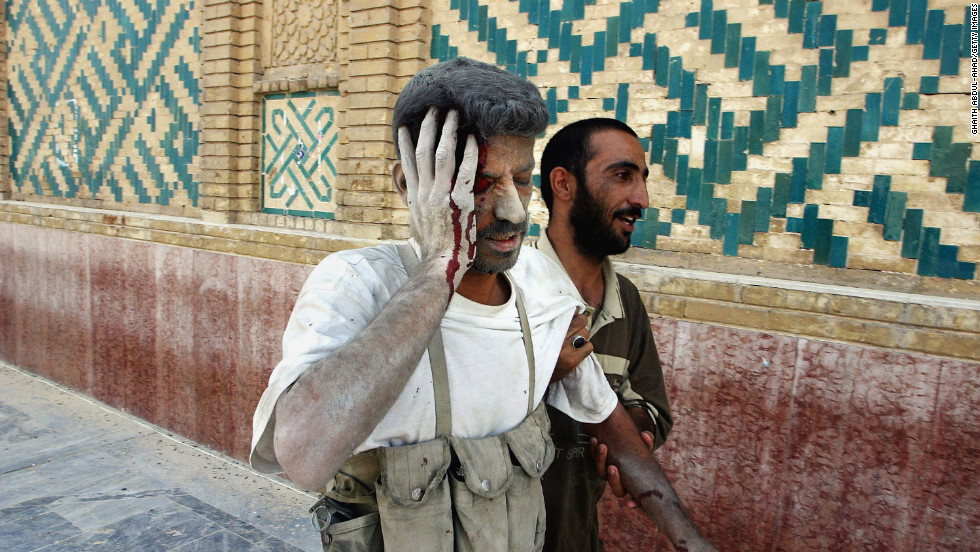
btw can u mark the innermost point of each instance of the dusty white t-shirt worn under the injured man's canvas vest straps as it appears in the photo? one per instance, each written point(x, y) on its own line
point(485, 356)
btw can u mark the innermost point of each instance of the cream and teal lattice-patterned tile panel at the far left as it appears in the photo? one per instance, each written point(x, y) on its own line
point(107, 95)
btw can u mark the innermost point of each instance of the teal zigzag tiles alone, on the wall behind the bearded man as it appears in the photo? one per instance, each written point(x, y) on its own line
point(727, 146)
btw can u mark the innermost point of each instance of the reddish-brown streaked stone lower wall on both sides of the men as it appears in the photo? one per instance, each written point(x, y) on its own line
point(781, 443)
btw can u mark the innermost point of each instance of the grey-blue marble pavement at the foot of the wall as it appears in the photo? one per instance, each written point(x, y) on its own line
point(78, 475)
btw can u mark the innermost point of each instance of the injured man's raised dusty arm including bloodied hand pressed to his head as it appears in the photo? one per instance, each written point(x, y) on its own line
point(341, 398)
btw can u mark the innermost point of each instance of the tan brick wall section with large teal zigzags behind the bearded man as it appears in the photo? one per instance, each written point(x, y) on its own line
point(830, 132)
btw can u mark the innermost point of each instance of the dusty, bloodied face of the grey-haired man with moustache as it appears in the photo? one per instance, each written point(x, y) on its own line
point(502, 192)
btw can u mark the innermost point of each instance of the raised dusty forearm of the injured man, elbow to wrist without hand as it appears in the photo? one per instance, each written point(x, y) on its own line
point(339, 400)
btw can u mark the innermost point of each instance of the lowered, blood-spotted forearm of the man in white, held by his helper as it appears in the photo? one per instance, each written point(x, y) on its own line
point(646, 481)
